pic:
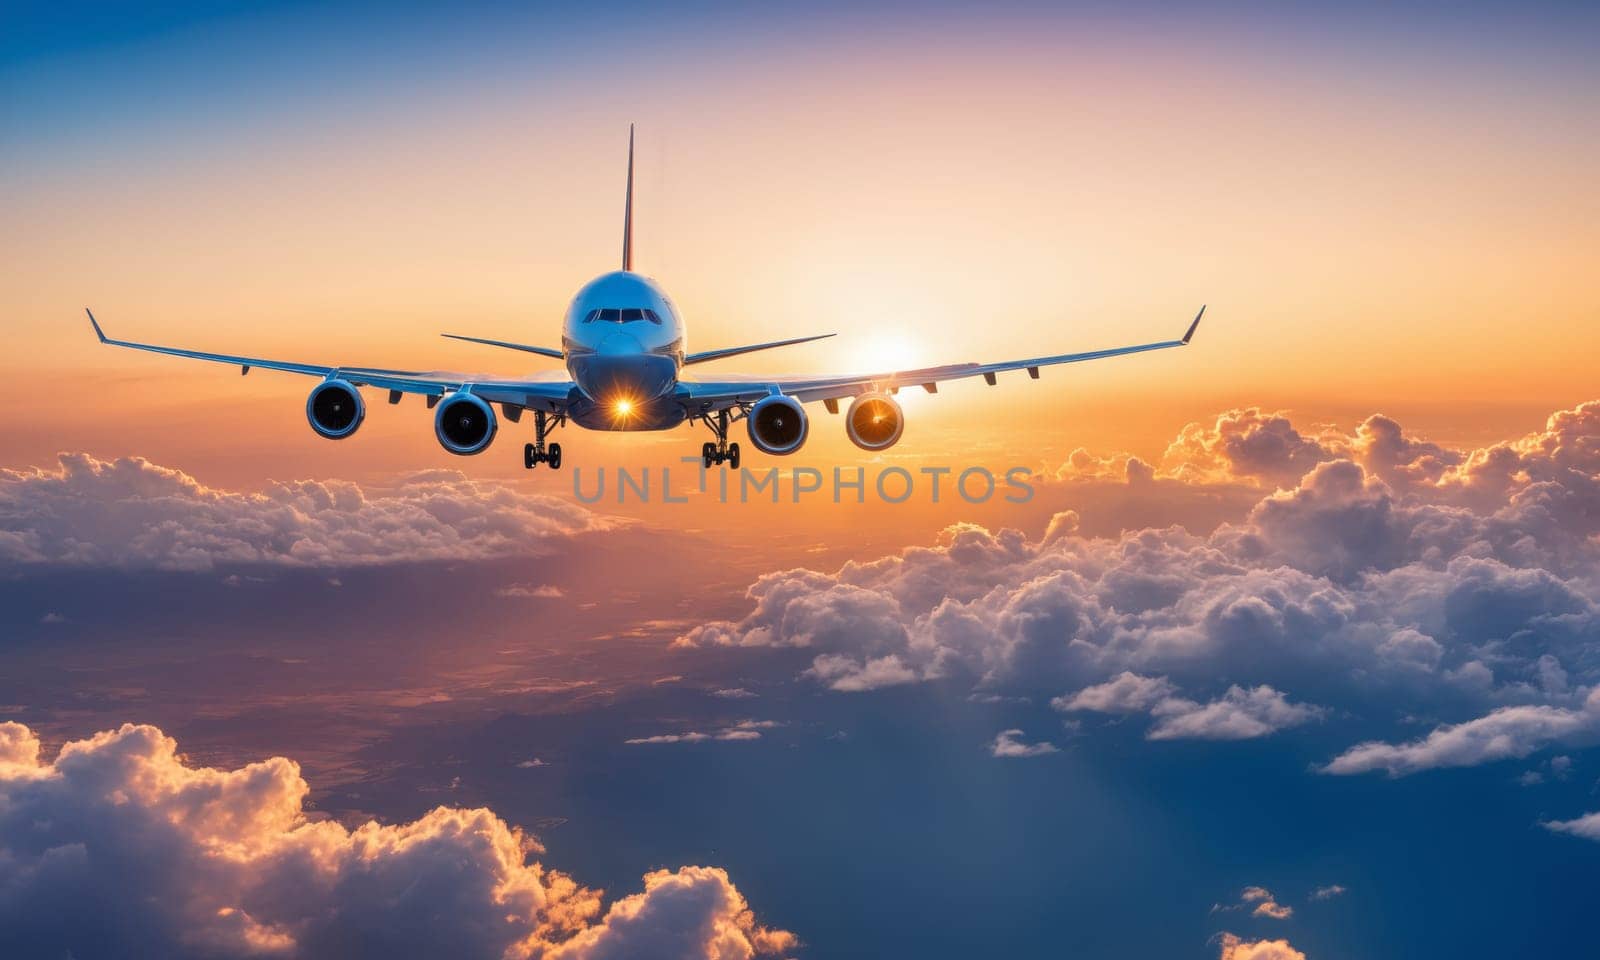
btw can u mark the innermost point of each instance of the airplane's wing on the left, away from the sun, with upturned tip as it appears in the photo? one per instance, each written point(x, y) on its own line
point(548, 396)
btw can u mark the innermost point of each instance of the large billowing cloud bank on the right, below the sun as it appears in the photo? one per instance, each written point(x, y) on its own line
point(1375, 569)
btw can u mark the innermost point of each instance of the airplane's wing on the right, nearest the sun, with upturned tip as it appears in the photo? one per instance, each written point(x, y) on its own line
point(705, 398)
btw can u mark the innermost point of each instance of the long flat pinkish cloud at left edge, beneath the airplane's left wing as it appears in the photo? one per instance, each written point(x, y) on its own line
point(132, 514)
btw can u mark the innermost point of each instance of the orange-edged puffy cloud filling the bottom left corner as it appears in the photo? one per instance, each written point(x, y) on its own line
point(228, 865)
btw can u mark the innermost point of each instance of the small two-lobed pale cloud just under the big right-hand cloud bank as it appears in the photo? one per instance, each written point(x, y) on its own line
point(1238, 714)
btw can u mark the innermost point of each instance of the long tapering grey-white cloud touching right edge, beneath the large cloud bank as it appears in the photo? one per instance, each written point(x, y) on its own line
point(1500, 735)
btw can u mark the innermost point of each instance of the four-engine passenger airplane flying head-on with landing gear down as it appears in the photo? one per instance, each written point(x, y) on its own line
point(625, 350)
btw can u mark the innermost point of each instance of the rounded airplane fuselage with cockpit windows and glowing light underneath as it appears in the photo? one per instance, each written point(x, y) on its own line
point(623, 342)
